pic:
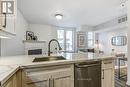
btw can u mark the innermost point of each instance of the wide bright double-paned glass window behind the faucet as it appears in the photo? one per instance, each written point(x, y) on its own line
point(66, 39)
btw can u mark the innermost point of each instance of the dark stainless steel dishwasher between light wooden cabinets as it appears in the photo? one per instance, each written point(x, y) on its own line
point(88, 74)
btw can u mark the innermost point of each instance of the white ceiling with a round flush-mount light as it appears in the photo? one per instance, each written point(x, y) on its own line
point(75, 12)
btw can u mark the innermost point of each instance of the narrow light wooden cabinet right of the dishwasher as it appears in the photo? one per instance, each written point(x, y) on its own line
point(108, 73)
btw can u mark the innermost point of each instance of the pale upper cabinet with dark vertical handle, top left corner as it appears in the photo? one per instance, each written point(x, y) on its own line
point(8, 15)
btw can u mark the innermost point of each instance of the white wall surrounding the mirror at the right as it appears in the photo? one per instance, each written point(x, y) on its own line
point(105, 41)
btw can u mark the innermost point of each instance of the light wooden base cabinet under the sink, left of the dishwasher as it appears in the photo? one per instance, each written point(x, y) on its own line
point(55, 76)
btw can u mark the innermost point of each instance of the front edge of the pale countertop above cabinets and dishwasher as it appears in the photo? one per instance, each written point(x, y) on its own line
point(21, 66)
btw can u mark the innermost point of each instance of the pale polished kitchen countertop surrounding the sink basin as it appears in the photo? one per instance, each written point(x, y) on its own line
point(9, 65)
